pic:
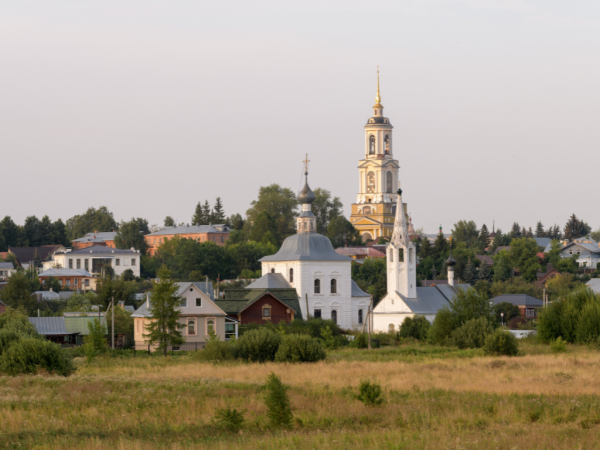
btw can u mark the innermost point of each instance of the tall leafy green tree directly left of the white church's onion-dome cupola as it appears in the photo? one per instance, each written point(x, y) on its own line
point(280, 203)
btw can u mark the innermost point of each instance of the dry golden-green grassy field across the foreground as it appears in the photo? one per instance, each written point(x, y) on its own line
point(434, 398)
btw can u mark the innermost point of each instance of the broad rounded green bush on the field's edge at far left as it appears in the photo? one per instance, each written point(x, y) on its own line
point(28, 355)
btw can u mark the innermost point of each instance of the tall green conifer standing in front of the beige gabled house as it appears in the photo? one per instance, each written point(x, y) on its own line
point(163, 328)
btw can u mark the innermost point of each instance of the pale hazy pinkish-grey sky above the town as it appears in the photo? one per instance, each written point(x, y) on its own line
point(148, 107)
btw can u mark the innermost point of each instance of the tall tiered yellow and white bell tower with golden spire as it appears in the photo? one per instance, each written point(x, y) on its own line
point(375, 208)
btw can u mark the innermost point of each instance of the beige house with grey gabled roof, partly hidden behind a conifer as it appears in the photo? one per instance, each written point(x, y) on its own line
point(199, 316)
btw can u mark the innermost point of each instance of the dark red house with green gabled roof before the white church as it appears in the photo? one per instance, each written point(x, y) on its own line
point(268, 299)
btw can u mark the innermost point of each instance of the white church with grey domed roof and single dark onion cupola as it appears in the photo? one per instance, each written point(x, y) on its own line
point(321, 276)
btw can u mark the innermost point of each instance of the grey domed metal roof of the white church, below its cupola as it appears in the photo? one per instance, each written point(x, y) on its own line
point(306, 247)
